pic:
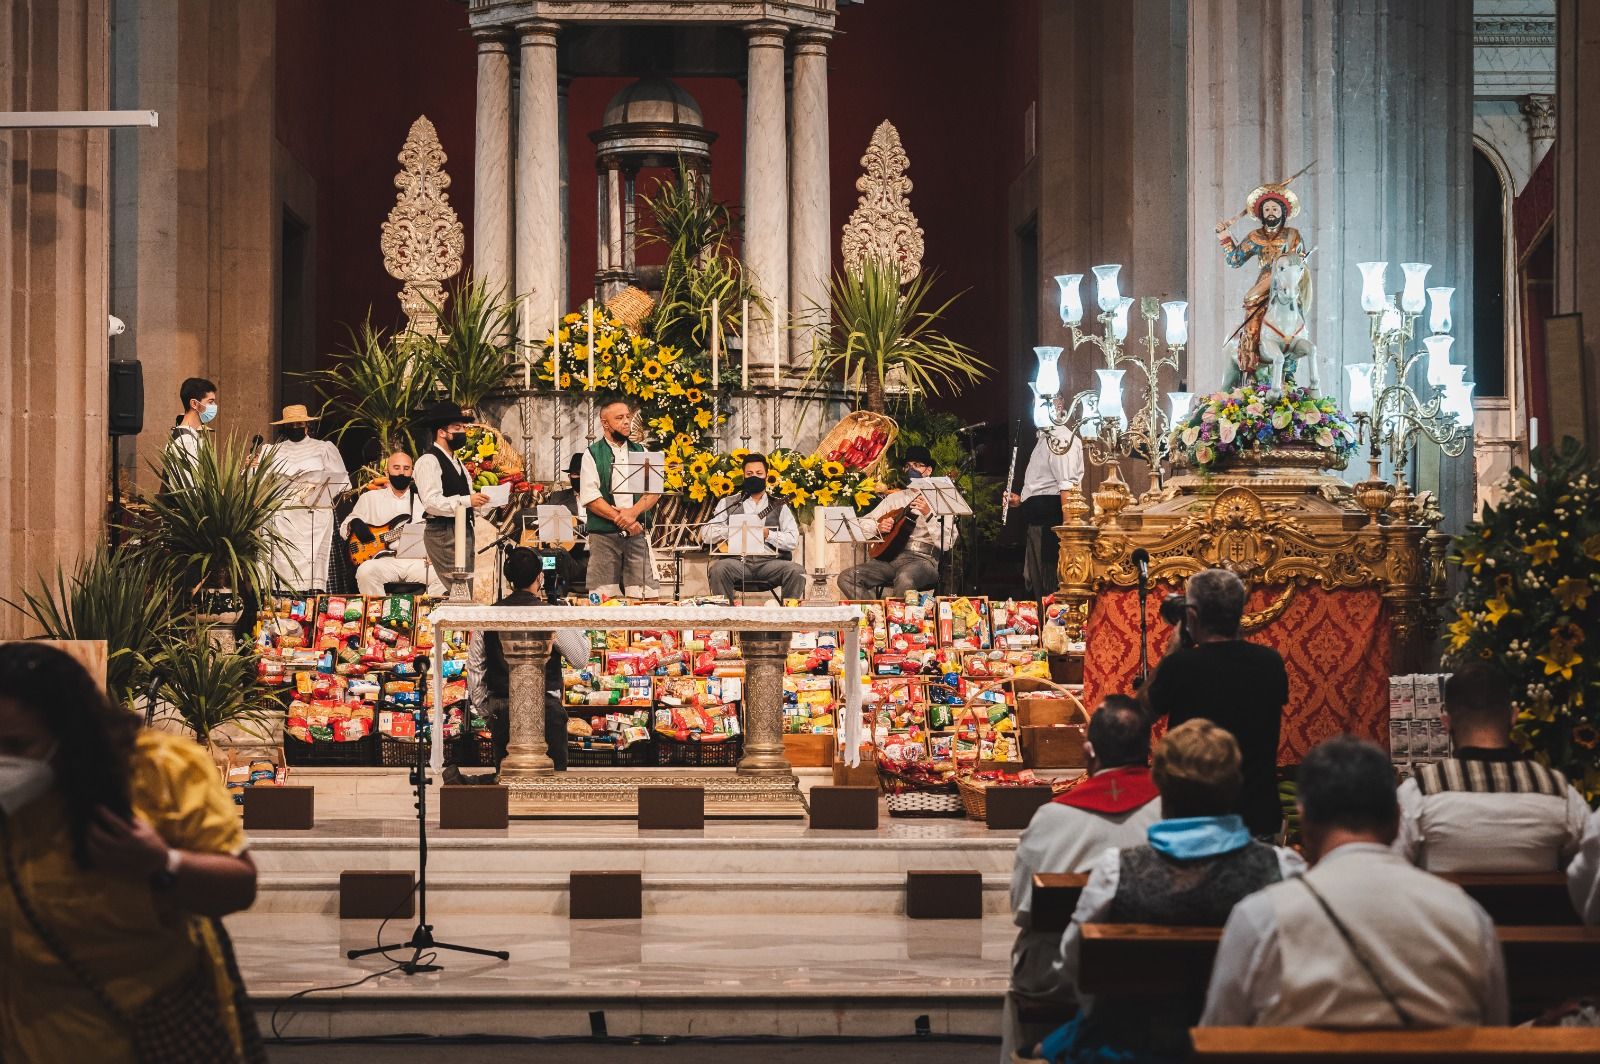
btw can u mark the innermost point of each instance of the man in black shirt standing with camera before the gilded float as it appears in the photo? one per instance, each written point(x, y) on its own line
point(1238, 686)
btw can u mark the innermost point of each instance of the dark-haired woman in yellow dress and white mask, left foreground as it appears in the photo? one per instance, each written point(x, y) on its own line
point(121, 850)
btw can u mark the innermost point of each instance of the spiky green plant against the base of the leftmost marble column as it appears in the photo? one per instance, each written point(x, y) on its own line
point(476, 342)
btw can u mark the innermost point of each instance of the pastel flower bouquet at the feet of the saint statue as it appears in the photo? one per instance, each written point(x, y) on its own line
point(1225, 425)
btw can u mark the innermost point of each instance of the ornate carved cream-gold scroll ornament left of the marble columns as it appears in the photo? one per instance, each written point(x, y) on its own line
point(423, 239)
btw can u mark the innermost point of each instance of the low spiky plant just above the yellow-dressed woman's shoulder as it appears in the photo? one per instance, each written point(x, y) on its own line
point(207, 687)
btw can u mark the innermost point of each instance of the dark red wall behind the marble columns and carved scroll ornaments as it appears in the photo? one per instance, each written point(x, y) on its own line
point(353, 78)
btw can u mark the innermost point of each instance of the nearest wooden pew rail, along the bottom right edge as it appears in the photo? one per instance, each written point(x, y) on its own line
point(1476, 1046)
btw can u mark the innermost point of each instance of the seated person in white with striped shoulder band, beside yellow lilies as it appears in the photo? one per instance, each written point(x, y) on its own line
point(1487, 809)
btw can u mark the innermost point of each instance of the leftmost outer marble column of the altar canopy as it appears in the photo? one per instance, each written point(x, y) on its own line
point(492, 166)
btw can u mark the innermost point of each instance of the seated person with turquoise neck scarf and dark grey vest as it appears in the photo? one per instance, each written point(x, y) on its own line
point(1196, 865)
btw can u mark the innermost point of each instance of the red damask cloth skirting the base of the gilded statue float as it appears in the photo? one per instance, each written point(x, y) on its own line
point(1335, 646)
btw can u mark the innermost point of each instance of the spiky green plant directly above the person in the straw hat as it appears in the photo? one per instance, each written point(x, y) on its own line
point(374, 385)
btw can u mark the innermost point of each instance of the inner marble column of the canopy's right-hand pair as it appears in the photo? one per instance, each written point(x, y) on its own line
point(766, 186)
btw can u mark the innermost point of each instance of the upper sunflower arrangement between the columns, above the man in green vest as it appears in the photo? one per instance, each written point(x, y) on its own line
point(670, 386)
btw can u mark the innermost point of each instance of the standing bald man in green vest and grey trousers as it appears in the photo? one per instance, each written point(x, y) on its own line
point(618, 522)
